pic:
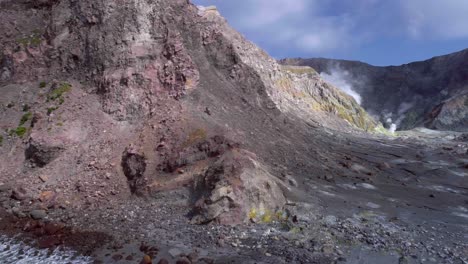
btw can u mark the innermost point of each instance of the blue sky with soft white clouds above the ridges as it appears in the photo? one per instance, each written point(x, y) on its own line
point(379, 32)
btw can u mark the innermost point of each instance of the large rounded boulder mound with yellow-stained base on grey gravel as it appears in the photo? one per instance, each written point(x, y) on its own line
point(235, 185)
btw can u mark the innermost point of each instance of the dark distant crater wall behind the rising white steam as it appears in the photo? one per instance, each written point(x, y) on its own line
point(430, 93)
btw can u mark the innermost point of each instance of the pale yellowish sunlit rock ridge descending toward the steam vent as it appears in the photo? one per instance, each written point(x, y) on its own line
point(292, 89)
